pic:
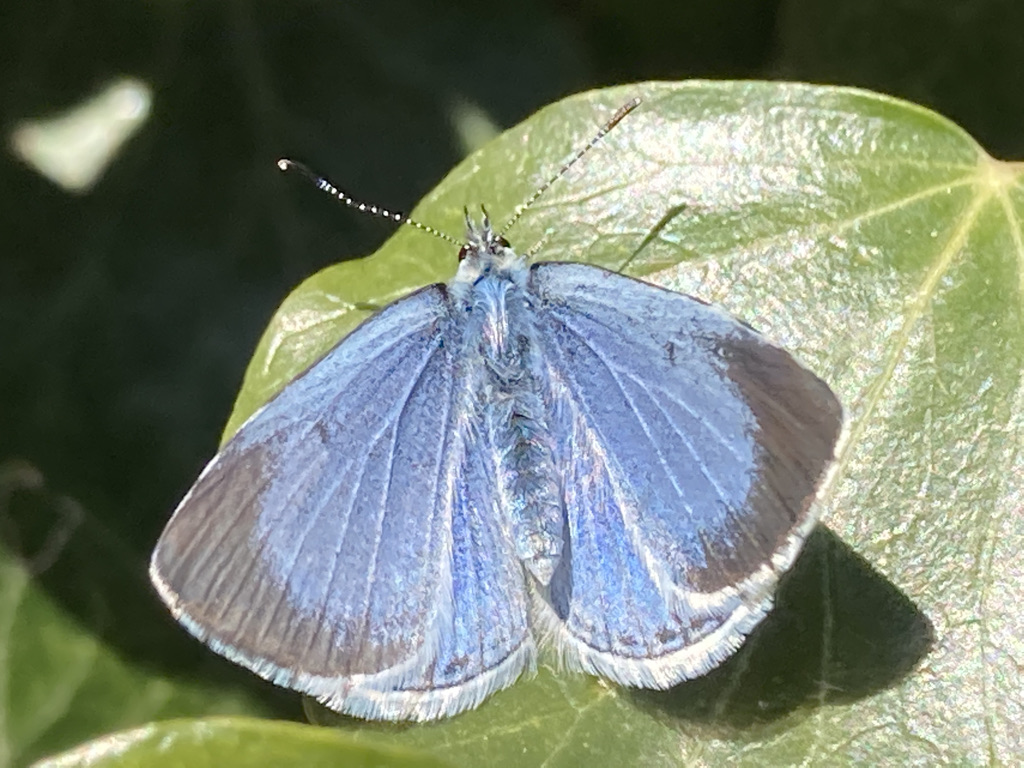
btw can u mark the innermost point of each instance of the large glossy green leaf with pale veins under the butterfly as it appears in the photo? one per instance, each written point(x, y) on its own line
point(879, 243)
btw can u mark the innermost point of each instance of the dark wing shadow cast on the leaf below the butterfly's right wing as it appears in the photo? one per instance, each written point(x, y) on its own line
point(839, 632)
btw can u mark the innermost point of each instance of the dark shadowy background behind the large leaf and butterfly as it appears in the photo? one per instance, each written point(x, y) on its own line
point(127, 315)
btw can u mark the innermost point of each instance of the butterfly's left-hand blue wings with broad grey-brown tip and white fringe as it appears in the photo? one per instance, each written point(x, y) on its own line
point(345, 544)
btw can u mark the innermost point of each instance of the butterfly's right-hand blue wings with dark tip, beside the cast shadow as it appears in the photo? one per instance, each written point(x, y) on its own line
point(692, 451)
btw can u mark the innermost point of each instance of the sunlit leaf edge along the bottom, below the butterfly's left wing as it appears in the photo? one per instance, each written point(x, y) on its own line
point(236, 742)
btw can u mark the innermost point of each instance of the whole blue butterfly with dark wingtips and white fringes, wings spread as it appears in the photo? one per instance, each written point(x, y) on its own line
point(532, 456)
